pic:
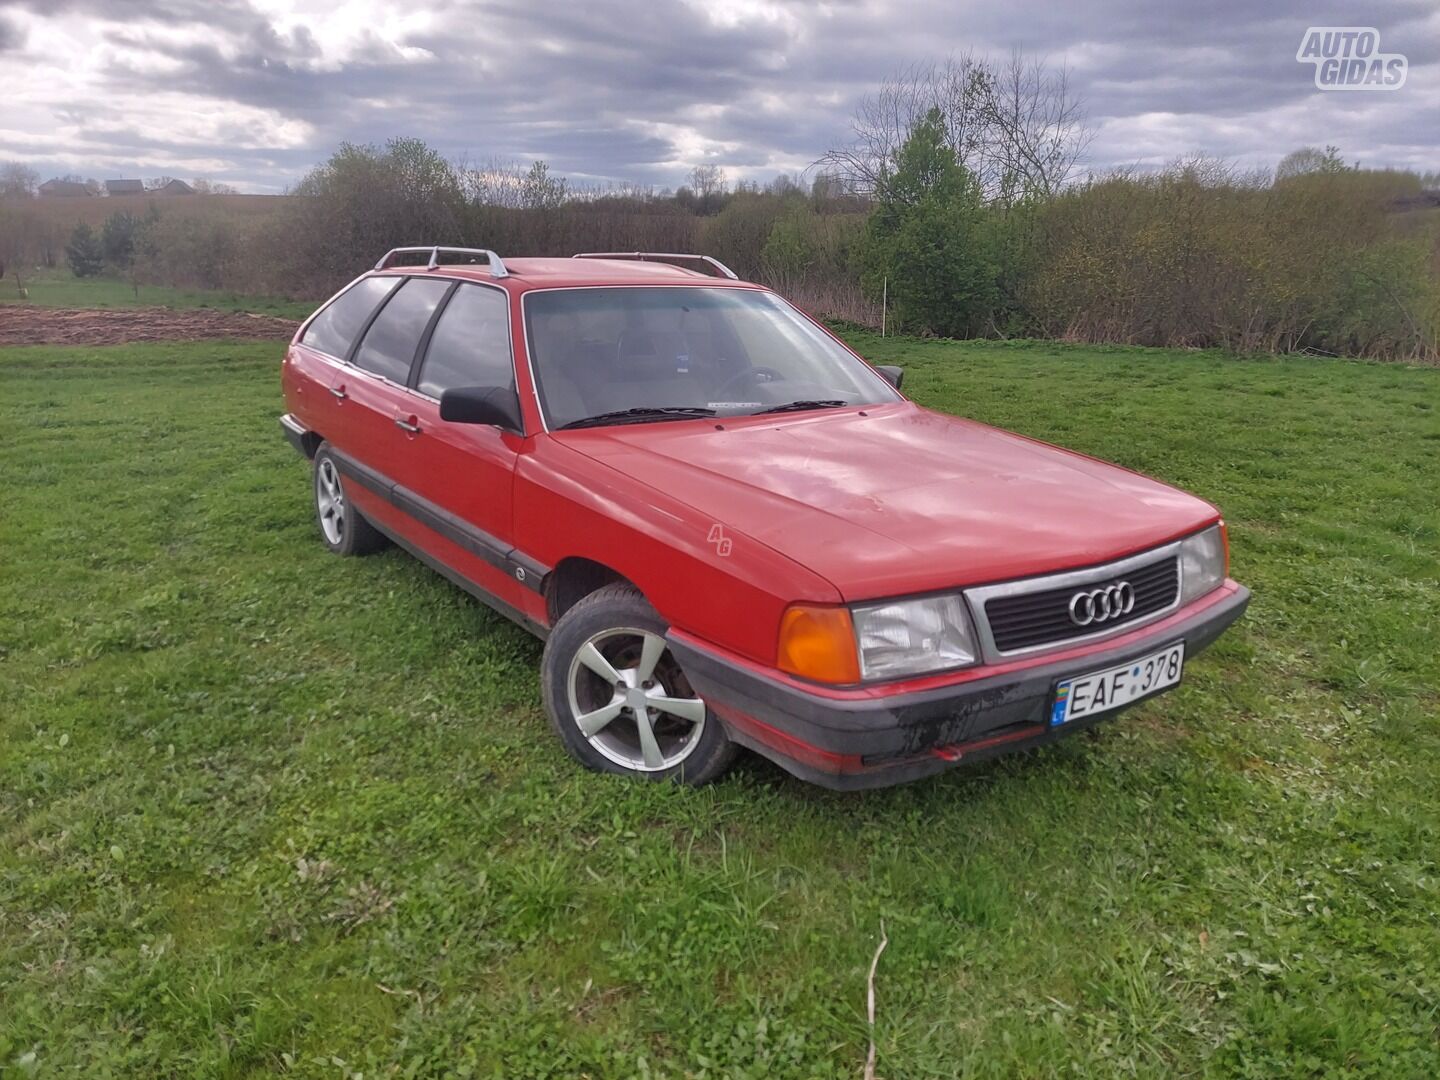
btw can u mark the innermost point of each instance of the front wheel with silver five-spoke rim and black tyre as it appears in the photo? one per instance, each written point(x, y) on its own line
point(618, 699)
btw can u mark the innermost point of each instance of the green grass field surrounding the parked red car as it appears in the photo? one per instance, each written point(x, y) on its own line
point(264, 810)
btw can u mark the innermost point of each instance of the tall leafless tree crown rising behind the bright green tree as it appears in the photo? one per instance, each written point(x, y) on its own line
point(1017, 125)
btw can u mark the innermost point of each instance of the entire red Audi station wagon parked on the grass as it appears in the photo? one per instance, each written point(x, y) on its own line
point(734, 532)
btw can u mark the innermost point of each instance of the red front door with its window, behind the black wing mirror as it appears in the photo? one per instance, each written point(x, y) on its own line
point(457, 479)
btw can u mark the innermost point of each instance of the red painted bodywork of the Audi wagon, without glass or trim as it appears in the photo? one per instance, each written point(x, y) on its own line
point(823, 508)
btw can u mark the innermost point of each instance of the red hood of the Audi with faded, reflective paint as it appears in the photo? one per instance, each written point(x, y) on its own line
point(898, 499)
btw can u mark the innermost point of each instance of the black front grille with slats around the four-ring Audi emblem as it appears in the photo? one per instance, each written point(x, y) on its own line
point(1043, 618)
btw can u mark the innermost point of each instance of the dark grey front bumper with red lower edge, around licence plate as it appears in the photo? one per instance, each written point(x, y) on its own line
point(870, 738)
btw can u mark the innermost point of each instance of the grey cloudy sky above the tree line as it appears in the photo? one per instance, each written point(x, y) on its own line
point(254, 93)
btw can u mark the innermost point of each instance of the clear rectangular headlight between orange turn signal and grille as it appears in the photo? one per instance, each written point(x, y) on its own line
point(914, 637)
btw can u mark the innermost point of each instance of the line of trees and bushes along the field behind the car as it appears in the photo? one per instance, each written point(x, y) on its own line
point(960, 202)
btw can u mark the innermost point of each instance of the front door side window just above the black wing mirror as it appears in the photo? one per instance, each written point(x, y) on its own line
point(470, 345)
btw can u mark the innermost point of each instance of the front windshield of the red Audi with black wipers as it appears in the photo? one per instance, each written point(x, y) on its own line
point(690, 349)
